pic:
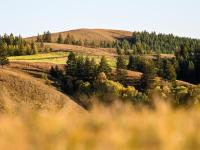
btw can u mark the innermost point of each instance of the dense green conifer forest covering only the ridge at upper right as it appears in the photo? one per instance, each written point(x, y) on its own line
point(161, 43)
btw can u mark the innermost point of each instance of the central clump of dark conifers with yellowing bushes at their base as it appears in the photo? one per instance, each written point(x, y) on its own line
point(83, 75)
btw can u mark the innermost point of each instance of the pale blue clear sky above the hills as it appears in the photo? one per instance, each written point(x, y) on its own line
point(29, 17)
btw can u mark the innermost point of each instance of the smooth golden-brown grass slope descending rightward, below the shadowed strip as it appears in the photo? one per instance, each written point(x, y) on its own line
point(20, 87)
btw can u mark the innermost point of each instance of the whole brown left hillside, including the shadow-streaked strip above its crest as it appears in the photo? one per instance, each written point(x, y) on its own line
point(22, 82)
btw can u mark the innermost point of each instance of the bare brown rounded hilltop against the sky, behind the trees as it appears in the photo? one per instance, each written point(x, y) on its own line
point(90, 35)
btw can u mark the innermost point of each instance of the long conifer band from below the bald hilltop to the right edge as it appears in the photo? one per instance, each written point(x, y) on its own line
point(139, 43)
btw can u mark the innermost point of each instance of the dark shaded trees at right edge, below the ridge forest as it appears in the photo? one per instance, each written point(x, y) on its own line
point(184, 66)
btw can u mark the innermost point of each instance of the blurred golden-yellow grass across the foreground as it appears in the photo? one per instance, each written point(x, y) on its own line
point(114, 128)
